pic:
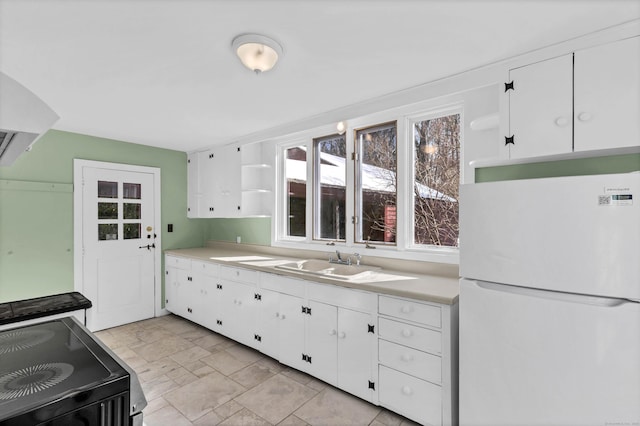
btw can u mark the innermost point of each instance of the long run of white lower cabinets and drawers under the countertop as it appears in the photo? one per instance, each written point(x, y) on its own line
point(394, 352)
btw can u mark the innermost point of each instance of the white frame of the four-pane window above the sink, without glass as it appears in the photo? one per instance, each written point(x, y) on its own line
point(404, 248)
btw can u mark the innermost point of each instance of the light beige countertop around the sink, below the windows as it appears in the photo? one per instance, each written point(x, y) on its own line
point(431, 288)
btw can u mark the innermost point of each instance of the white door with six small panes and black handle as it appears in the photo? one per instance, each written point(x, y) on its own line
point(118, 246)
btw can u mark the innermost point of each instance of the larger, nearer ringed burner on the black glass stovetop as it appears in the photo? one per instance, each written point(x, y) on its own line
point(30, 380)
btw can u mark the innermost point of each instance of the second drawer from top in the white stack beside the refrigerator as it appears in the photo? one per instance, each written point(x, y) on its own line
point(415, 337)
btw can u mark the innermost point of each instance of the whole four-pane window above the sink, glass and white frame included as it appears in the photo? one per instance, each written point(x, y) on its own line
point(390, 182)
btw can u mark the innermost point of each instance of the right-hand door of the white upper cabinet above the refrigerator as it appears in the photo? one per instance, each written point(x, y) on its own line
point(607, 96)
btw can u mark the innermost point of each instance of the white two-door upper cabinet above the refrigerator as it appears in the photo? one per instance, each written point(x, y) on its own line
point(584, 101)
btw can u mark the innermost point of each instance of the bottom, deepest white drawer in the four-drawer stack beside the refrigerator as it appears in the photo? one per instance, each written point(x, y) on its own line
point(411, 397)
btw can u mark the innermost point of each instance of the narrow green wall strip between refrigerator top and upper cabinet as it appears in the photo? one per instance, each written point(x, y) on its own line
point(576, 167)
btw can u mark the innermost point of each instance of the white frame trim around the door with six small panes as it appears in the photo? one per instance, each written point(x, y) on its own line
point(78, 165)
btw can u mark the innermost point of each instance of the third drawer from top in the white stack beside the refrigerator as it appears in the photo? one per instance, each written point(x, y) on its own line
point(411, 361)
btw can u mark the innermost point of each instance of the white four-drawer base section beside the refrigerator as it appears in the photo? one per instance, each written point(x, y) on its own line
point(417, 355)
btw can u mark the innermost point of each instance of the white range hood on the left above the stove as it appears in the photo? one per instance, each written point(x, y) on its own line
point(24, 117)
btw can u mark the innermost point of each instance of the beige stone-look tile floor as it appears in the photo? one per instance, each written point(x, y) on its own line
point(193, 376)
